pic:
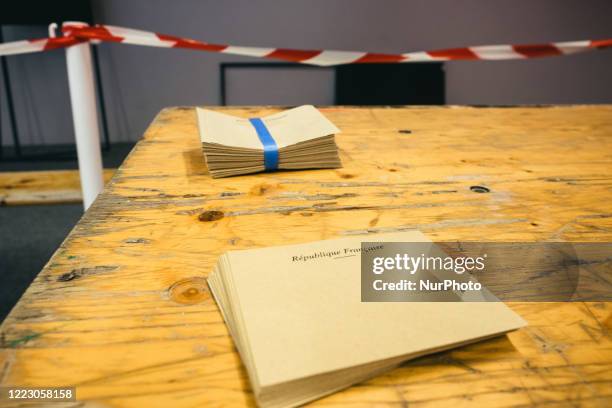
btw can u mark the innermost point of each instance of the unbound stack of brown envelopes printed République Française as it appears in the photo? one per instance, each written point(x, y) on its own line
point(297, 319)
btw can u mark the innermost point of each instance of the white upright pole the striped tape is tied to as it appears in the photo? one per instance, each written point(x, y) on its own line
point(85, 118)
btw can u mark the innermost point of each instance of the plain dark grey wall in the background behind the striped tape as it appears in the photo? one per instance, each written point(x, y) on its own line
point(140, 81)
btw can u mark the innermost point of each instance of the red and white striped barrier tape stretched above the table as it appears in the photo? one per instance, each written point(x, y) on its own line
point(75, 33)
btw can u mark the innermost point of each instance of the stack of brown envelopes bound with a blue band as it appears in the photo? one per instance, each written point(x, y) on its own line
point(299, 138)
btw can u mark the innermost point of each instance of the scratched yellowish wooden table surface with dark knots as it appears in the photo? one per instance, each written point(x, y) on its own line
point(123, 313)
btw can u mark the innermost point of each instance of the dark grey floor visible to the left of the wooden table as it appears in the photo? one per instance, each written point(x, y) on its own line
point(29, 235)
